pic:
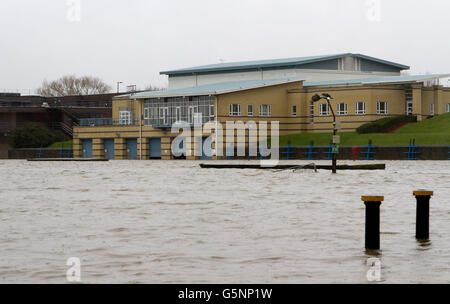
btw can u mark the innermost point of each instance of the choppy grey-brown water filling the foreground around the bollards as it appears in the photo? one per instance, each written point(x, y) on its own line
point(172, 222)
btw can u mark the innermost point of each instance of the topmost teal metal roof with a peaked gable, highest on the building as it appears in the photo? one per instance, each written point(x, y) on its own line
point(274, 63)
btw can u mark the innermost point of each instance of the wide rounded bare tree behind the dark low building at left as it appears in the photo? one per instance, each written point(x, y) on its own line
point(73, 85)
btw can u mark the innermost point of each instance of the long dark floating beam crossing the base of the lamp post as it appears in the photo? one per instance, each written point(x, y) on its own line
point(287, 167)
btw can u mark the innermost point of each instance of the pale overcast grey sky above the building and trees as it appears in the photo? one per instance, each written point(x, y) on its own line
point(131, 41)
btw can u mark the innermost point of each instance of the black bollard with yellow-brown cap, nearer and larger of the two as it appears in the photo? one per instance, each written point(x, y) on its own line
point(373, 204)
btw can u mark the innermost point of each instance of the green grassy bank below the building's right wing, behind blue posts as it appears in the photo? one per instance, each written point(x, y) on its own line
point(435, 131)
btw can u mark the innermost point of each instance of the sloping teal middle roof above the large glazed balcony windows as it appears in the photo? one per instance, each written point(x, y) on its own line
point(215, 89)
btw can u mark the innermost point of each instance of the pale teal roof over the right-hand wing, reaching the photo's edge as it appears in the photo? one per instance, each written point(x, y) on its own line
point(378, 80)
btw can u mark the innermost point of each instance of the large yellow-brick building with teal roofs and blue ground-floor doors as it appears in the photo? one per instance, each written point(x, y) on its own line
point(364, 89)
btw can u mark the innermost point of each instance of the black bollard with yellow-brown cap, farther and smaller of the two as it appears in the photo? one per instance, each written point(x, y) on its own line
point(423, 214)
